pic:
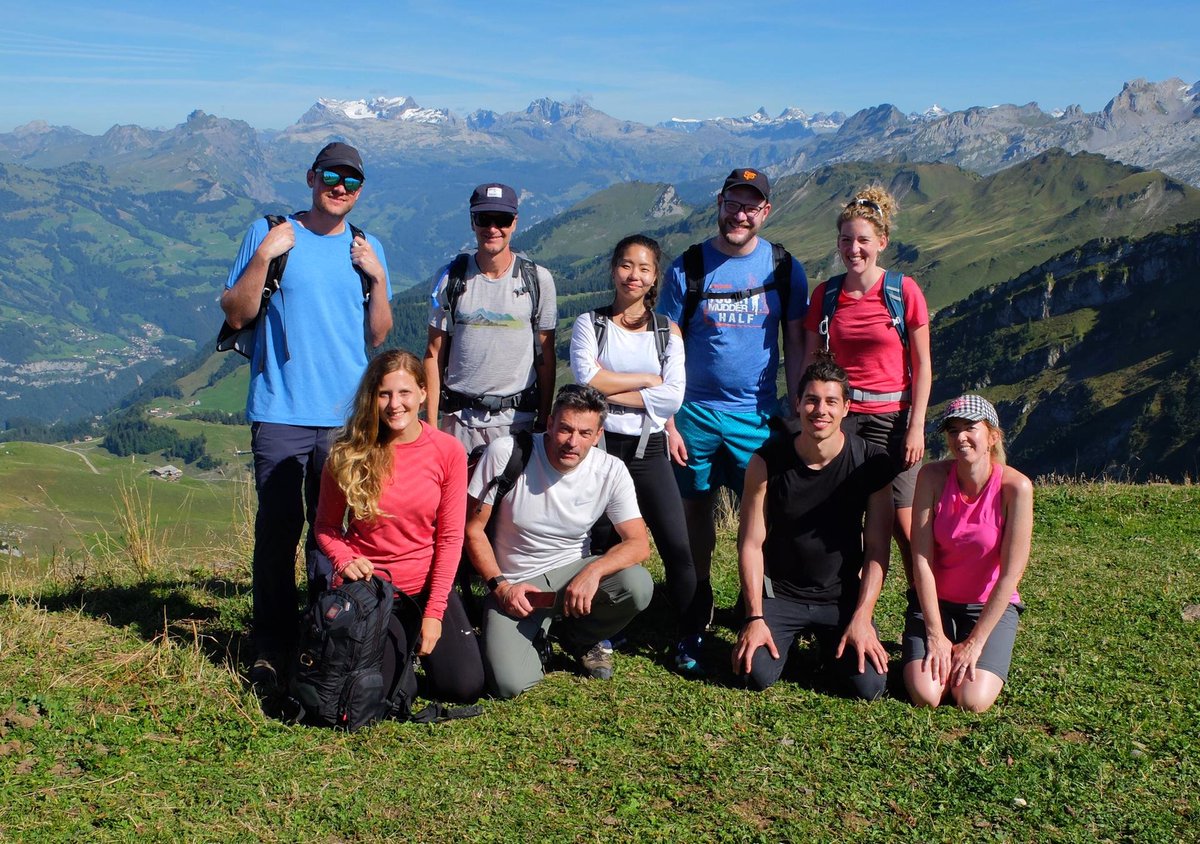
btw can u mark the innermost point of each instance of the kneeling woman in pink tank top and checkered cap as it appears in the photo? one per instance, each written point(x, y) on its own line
point(971, 532)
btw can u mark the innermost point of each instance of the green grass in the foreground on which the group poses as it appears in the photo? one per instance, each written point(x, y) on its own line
point(123, 716)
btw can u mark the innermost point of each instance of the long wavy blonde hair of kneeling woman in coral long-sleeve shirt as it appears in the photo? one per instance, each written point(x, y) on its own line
point(361, 459)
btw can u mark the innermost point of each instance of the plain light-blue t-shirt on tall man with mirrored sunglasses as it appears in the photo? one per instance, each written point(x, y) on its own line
point(310, 349)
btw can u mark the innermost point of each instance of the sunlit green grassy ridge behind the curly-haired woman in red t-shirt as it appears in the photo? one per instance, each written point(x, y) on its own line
point(958, 232)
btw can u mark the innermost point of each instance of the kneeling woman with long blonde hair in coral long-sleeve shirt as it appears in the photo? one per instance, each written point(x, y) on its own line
point(394, 504)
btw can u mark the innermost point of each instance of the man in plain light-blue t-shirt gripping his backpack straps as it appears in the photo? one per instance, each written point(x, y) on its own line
point(309, 354)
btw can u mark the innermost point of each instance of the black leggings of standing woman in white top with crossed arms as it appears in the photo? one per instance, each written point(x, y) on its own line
point(658, 498)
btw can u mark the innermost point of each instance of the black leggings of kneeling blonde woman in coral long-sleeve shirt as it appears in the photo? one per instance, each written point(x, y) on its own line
point(455, 669)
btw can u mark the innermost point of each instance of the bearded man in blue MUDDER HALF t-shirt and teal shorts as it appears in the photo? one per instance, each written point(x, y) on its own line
point(731, 342)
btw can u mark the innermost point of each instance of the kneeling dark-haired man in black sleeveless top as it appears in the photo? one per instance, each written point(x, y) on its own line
point(814, 542)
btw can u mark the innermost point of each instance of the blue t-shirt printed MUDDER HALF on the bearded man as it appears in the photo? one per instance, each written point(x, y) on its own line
point(733, 348)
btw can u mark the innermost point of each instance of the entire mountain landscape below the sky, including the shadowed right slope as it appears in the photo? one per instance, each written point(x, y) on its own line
point(1055, 248)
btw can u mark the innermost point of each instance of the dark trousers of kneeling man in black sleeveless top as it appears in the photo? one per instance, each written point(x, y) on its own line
point(789, 619)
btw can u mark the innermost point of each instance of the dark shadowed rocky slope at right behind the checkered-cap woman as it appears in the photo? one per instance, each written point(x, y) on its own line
point(1094, 358)
